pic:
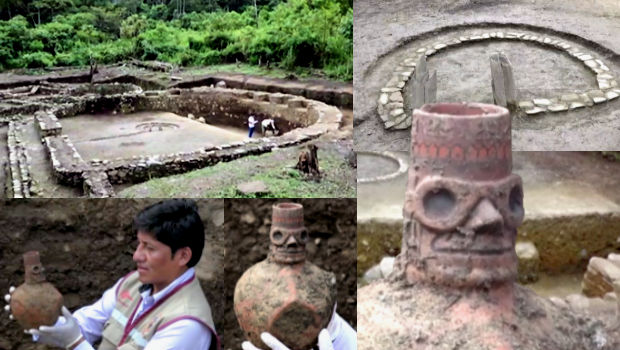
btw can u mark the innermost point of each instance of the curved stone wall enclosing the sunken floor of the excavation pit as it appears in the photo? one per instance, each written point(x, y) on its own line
point(308, 120)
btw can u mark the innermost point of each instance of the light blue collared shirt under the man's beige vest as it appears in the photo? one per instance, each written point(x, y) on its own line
point(181, 335)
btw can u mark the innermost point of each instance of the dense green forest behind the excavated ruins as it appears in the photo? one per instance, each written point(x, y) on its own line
point(291, 34)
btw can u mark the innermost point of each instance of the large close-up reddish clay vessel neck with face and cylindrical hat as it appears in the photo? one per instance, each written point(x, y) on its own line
point(463, 205)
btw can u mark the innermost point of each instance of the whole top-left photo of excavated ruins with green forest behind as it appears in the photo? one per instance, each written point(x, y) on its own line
point(162, 98)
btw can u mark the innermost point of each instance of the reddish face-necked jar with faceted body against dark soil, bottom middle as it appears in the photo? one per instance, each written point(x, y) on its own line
point(285, 295)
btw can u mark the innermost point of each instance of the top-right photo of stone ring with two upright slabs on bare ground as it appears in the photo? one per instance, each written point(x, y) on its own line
point(555, 65)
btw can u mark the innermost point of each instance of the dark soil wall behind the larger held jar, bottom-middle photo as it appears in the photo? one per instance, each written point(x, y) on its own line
point(332, 228)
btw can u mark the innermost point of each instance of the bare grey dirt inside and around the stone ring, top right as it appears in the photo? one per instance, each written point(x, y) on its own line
point(384, 31)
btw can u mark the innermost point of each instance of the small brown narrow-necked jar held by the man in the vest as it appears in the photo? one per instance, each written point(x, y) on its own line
point(36, 302)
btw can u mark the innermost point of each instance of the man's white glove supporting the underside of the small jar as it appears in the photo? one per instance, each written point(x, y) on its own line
point(65, 333)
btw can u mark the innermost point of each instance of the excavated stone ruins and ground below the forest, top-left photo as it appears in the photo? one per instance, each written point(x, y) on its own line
point(65, 136)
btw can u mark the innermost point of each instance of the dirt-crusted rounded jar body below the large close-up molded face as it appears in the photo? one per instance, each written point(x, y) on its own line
point(396, 315)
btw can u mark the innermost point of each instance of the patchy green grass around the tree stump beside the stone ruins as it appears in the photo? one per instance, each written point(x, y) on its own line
point(274, 169)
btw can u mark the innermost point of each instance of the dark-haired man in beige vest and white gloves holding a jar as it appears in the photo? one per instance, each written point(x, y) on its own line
point(160, 305)
